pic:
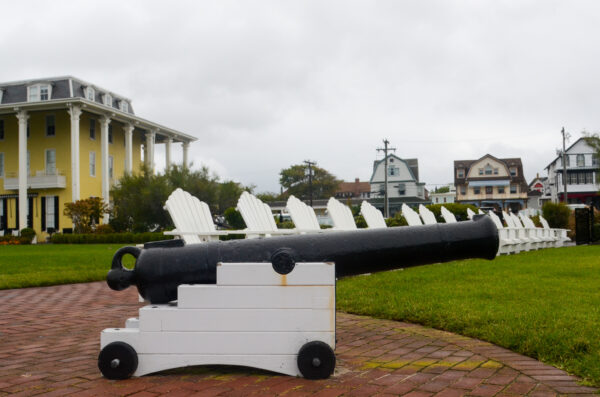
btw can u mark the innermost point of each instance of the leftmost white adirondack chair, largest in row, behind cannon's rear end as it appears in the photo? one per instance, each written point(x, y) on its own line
point(192, 218)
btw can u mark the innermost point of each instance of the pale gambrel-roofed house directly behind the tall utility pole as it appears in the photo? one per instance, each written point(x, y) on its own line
point(403, 183)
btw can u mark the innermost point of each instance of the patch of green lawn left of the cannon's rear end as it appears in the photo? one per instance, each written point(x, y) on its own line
point(47, 264)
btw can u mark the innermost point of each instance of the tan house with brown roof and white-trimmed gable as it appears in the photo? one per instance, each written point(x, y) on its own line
point(491, 182)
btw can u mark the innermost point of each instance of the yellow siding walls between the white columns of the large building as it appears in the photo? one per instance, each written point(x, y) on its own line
point(37, 144)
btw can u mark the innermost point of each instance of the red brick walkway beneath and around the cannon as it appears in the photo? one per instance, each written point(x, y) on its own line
point(49, 342)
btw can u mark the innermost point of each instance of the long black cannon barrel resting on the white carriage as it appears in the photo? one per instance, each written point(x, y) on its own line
point(161, 267)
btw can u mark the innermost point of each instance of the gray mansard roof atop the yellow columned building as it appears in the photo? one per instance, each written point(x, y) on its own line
point(16, 92)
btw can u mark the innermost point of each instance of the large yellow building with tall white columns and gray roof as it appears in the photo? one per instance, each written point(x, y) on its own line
point(63, 139)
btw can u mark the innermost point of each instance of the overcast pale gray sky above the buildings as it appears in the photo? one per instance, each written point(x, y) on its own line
point(267, 84)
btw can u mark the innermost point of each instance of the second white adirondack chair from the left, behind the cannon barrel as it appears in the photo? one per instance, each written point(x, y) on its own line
point(258, 217)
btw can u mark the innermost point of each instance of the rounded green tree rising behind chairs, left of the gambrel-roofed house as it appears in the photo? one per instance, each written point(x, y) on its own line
point(295, 181)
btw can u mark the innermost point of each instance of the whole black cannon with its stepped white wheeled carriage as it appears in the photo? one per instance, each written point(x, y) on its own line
point(265, 303)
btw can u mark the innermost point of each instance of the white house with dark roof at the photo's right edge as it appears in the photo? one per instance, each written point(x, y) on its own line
point(582, 167)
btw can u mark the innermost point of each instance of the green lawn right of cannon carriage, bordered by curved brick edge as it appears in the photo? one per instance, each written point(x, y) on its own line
point(544, 304)
